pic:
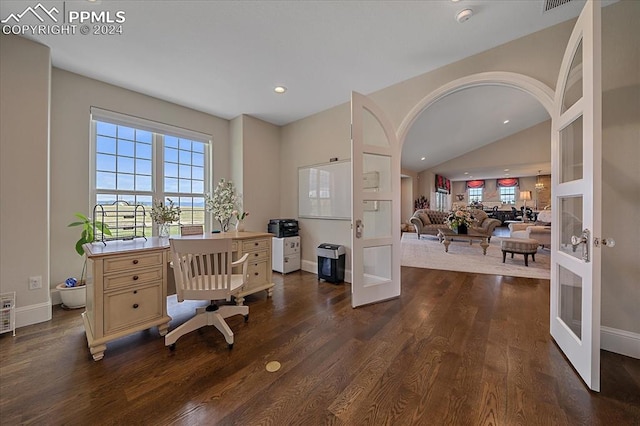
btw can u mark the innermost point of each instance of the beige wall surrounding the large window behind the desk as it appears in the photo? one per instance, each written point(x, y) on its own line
point(72, 96)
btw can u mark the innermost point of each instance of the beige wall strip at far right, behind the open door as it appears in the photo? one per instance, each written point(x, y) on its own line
point(620, 171)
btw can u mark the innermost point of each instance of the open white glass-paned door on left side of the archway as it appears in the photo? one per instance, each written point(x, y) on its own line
point(375, 208)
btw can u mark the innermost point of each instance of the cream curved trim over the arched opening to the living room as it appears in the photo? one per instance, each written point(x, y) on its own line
point(540, 91)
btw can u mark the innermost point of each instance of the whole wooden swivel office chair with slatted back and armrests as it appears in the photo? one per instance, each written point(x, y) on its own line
point(203, 271)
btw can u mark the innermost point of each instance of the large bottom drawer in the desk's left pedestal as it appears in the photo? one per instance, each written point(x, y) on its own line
point(128, 308)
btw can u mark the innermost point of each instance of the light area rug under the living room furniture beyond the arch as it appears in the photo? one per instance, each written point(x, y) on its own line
point(428, 252)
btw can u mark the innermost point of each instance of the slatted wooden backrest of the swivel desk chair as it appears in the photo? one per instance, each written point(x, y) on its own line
point(202, 268)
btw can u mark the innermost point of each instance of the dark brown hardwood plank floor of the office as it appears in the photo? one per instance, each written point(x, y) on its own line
point(455, 348)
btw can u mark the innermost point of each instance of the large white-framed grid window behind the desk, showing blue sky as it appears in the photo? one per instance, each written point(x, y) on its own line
point(139, 161)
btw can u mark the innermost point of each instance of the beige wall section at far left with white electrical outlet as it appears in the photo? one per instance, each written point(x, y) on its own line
point(24, 167)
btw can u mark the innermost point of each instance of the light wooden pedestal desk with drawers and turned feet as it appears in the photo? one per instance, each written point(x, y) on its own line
point(127, 283)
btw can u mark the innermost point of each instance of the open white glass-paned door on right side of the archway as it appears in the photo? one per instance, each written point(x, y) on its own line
point(576, 199)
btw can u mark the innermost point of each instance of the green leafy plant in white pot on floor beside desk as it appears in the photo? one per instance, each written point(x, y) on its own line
point(72, 291)
